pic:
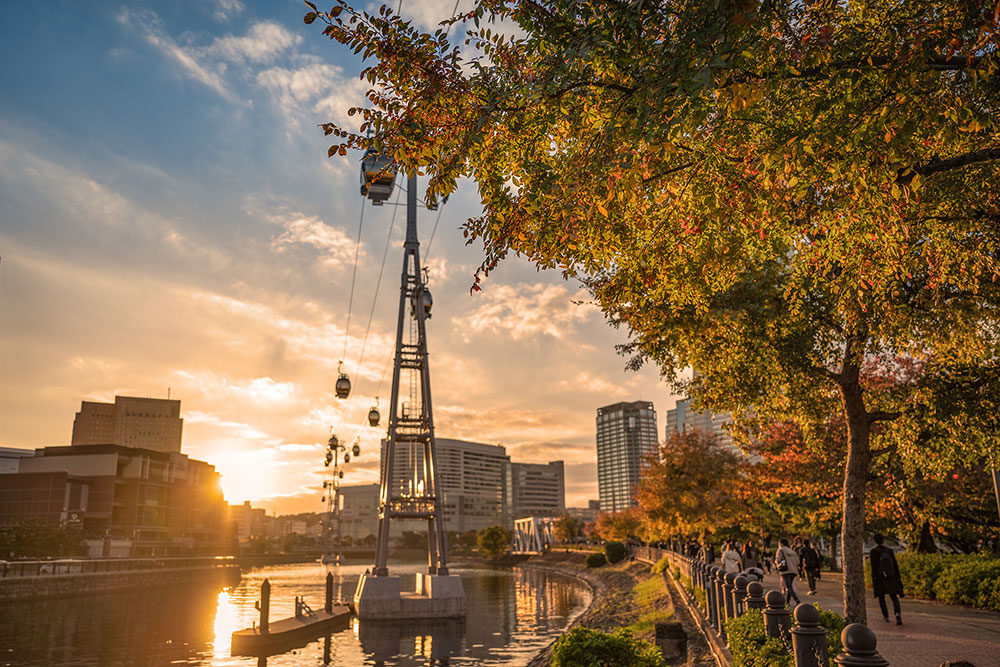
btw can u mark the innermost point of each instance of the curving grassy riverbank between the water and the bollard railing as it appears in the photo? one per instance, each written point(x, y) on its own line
point(623, 595)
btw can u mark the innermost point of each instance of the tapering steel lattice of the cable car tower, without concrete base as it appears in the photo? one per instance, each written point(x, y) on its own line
point(412, 424)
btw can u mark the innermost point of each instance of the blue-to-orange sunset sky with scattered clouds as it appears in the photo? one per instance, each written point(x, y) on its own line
point(170, 221)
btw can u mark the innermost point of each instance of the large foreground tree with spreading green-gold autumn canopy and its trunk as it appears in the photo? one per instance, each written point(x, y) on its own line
point(772, 193)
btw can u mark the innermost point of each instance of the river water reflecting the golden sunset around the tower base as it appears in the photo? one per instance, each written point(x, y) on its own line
point(511, 616)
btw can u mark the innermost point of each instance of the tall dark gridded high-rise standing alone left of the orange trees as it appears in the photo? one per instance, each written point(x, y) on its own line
point(626, 434)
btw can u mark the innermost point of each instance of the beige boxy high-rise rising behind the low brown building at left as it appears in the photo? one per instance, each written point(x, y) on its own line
point(143, 423)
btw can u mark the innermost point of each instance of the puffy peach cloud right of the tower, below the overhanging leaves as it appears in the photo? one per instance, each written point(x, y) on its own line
point(525, 311)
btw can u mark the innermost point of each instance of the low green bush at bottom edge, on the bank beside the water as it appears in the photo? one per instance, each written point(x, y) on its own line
point(583, 647)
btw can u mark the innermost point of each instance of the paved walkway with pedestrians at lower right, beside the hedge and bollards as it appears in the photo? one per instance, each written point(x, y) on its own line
point(931, 633)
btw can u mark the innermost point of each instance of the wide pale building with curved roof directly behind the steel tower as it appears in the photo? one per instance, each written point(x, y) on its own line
point(473, 483)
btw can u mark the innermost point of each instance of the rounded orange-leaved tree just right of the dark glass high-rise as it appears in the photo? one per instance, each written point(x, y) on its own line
point(690, 486)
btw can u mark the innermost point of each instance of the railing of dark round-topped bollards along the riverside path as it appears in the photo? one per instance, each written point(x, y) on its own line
point(728, 596)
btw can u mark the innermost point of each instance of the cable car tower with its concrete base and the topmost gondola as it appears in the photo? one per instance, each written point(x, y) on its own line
point(411, 425)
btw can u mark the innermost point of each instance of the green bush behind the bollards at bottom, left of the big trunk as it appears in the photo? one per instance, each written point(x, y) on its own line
point(751, 647)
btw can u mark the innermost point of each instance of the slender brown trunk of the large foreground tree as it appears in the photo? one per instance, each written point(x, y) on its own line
point(855, 479)
